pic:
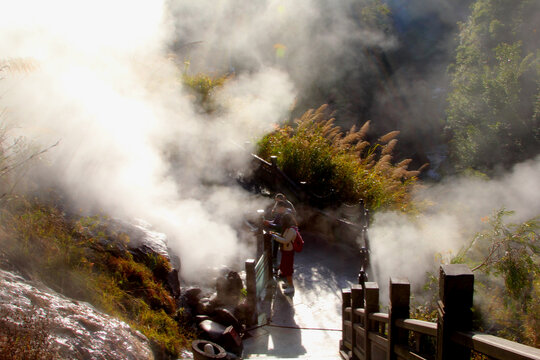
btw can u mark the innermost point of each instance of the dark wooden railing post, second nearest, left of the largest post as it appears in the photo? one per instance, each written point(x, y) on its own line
point(400, 292)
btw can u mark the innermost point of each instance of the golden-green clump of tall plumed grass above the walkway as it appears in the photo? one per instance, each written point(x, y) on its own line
point(342, 166)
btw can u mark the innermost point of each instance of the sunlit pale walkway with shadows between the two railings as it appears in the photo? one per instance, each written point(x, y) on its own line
point(307, 324)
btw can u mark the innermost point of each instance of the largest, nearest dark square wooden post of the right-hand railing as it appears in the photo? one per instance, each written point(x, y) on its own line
point(456, 286)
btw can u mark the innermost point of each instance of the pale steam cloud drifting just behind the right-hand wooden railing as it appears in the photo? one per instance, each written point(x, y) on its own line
point(404, 248)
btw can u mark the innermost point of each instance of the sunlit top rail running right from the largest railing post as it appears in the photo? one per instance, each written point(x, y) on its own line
point(496, 347)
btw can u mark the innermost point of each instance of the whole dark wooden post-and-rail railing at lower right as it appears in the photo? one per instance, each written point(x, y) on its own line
point(369, 334)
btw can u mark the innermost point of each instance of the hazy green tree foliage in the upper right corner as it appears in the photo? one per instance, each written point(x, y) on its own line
point(492, 110)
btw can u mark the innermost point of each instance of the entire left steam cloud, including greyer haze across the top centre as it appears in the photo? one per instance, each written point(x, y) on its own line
point(131, 142)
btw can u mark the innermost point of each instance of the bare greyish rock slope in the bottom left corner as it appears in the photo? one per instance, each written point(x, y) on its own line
point(69, 329)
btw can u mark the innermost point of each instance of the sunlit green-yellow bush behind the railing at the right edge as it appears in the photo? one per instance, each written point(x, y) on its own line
point(510, 252)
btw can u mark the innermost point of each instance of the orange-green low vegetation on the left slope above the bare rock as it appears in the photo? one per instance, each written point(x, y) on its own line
point(85, 259)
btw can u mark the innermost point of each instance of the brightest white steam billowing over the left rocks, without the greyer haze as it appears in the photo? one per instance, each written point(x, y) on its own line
point(131, 143)
